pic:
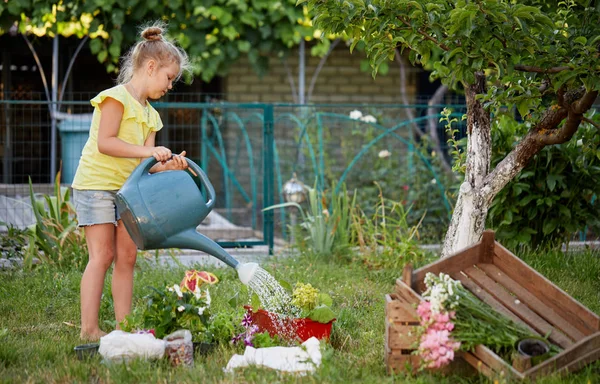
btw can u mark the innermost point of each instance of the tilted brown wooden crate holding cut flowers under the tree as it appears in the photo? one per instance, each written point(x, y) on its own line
point(510, 286)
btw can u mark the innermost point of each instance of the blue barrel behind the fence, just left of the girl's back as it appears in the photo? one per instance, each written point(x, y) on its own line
point(73, 136)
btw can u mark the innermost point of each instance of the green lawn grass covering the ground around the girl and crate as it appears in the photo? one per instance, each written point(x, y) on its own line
point(39, 314)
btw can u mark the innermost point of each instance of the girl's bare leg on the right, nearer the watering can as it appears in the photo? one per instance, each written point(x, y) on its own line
point(122, 281)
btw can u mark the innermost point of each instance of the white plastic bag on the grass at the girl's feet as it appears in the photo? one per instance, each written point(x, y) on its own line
point(119, 345)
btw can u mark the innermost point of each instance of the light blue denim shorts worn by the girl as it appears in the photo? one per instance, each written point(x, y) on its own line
point(95, 207)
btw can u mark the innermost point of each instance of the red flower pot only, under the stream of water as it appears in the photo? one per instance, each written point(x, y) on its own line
point(298, 328)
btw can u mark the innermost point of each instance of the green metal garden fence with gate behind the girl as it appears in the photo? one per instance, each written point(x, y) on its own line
point(248, 151)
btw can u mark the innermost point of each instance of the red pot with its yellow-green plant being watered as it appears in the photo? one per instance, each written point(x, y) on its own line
point(309, 315)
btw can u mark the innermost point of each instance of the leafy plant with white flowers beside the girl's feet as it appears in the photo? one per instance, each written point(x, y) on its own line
point(175, 307)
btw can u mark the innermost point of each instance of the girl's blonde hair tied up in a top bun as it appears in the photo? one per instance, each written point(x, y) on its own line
point(156, 47)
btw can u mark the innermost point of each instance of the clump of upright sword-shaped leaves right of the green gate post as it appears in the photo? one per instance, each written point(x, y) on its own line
point(325, 228)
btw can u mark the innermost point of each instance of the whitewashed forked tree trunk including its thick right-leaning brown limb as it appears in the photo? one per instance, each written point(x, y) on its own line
point(557, 125)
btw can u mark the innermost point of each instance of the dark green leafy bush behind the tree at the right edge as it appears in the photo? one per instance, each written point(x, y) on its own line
point(554, 196)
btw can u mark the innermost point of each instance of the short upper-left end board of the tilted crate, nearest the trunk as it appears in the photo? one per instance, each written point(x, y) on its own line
point(457, 262)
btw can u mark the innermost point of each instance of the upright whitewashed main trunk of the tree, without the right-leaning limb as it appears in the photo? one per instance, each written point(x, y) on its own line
point(468, 219)
